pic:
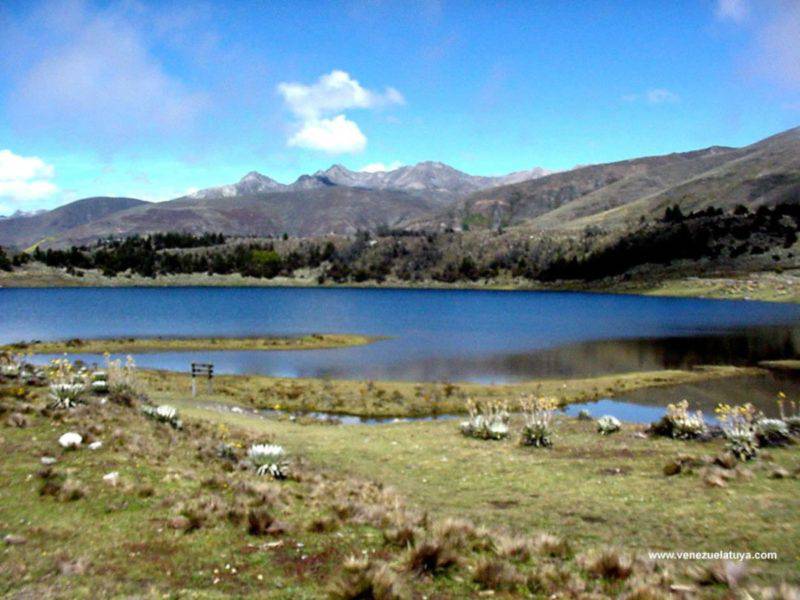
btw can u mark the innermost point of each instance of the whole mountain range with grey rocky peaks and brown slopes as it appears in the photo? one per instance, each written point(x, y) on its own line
point(431, 195)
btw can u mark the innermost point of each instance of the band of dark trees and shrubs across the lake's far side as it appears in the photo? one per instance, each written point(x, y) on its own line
point(711, 235)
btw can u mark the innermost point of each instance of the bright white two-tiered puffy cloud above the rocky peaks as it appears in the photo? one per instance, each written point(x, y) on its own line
point(315, 106)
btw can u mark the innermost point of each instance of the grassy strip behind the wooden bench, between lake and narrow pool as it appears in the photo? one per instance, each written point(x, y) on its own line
point(407, 399)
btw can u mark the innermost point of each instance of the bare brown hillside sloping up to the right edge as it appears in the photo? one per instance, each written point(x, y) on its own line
point(619, 194)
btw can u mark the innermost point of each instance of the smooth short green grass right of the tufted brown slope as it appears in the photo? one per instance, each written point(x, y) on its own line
point(570, 490)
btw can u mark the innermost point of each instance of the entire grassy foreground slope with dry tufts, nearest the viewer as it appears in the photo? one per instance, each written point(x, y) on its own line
point(183, 518)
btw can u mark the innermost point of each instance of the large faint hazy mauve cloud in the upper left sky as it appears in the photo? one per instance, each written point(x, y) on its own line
point(99, 77)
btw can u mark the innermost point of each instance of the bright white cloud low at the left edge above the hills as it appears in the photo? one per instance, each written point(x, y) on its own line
point(24, 178)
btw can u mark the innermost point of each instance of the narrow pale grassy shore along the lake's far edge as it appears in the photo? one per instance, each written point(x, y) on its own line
point(763, 286)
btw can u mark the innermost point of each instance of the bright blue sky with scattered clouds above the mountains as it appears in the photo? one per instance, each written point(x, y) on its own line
point(157, 99)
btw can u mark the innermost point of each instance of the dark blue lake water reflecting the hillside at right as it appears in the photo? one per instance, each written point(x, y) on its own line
point(434, 335)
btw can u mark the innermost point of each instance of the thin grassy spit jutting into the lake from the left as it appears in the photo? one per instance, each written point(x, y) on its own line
point(169, 344)
